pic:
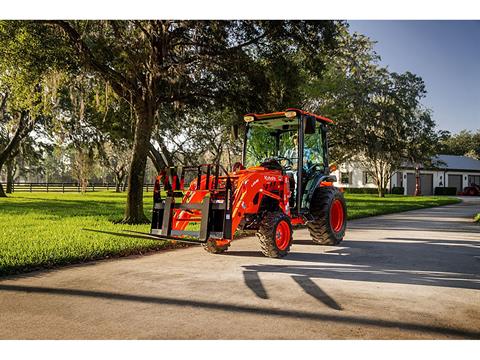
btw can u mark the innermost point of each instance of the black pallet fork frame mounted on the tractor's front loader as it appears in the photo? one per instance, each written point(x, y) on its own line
point(206, 203)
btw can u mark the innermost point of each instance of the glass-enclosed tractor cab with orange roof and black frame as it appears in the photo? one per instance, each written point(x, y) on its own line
point(275, 140)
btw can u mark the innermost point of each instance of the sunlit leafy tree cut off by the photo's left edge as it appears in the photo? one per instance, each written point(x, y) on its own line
point(28, 63)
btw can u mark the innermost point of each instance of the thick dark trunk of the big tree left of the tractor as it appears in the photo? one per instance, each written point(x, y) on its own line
point(143, 131)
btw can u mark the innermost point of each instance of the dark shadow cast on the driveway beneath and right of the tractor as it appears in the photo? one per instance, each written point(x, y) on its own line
point(413, 261)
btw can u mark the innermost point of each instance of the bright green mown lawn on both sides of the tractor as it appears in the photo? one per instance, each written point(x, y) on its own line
point(40, 230)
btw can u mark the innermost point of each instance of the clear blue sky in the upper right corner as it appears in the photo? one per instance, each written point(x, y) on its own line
point(446, 54)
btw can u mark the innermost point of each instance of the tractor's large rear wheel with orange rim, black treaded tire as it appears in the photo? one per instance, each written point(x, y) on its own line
point(329, 210)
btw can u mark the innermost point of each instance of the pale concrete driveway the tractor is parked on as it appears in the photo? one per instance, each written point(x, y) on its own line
point(409, 275)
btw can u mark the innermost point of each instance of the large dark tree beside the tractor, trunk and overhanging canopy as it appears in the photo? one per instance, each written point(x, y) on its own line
point(151, 64)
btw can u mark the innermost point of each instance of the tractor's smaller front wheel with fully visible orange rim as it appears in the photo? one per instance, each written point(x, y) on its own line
point(275, 234)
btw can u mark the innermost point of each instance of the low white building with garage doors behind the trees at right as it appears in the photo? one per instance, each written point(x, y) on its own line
point(450, 171)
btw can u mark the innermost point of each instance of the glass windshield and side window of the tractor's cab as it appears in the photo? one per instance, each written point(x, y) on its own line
point(264, 143)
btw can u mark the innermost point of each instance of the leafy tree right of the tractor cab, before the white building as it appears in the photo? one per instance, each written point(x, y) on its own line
point(380, 122)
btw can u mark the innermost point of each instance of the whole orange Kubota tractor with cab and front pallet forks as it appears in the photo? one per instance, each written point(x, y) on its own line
point(271, 190)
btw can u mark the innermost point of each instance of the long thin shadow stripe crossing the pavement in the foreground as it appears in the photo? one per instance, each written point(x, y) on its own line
point(246, 309)
